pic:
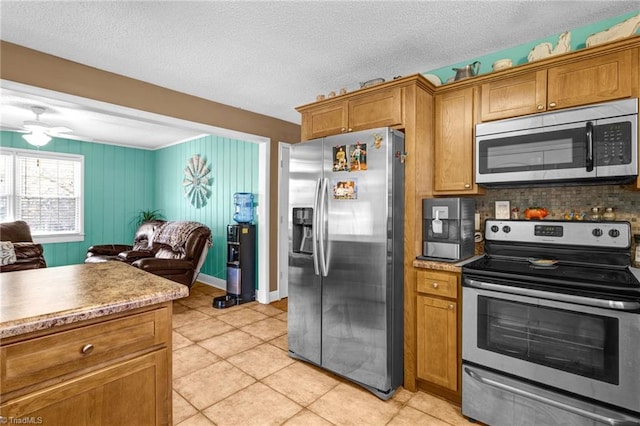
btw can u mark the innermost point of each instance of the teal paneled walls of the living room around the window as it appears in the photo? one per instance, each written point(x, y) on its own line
point(120, 182)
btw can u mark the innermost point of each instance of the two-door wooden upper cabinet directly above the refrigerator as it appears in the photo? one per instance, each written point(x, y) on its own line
point(375, 109)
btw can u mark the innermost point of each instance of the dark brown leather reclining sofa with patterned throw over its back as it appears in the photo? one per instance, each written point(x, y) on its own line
point(174, 250)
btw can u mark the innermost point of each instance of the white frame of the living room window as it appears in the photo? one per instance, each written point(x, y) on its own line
point(51, 237)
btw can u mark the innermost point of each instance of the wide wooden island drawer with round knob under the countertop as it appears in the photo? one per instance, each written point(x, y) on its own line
point(42, 358)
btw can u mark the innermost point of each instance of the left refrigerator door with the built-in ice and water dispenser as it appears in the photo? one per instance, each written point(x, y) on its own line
point(305, 284)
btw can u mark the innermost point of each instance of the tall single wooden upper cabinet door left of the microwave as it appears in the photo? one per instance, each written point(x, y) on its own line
point(453, 153)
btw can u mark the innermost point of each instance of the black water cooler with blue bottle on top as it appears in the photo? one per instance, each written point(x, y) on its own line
point(241, 256)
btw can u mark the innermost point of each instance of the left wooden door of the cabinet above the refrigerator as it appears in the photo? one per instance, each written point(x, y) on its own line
point(331, 119)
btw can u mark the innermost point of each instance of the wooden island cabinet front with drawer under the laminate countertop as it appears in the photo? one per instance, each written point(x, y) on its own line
point(113, 372)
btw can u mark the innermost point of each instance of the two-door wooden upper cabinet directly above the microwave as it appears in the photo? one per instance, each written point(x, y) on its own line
point(575, 83)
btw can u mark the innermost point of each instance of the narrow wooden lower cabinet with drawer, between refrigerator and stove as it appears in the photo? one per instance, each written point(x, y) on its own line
point(438, 333)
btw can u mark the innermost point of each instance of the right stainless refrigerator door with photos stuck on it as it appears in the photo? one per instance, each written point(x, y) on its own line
point(356, 305)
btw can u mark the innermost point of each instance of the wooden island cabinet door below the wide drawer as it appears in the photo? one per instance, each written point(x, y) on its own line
point(134, 392)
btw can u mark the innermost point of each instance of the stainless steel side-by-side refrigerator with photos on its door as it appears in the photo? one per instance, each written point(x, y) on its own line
point(346, 213)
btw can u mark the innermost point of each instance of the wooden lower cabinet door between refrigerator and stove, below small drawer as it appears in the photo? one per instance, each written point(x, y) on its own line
point(437, 341)
